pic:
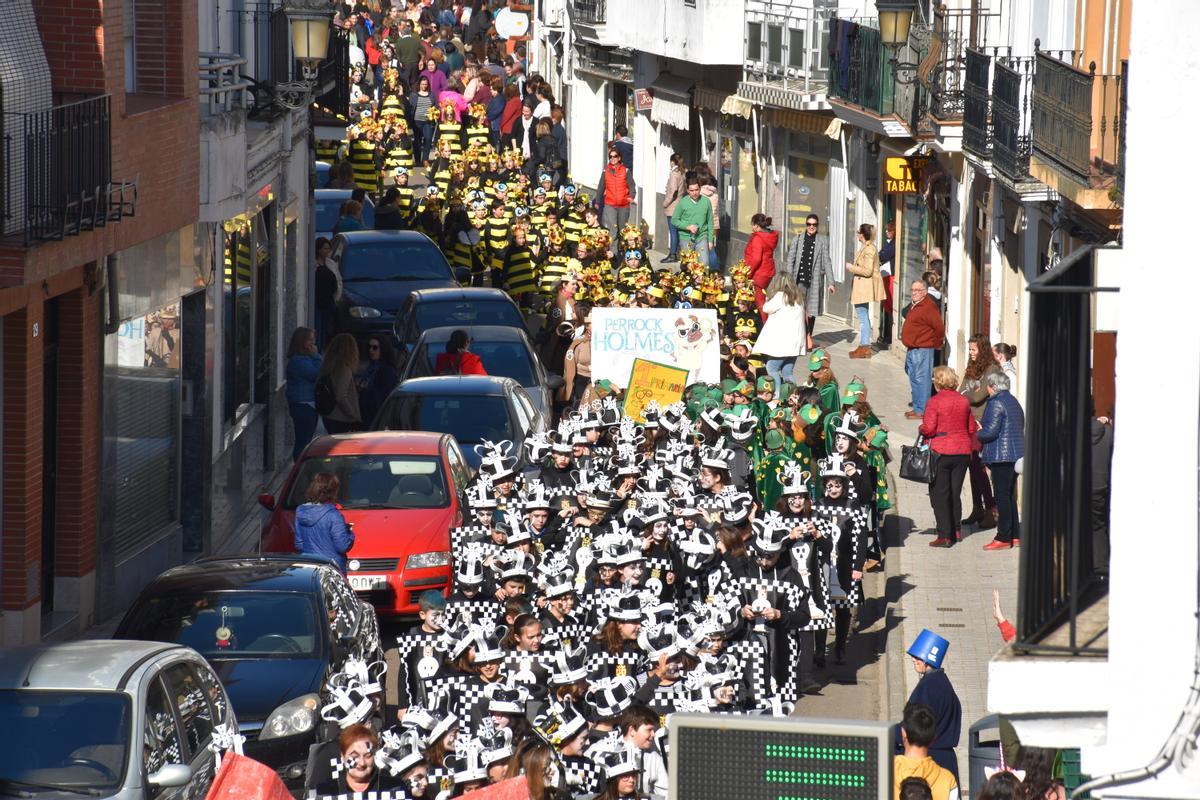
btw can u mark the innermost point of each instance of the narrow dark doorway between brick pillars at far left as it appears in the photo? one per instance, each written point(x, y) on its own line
point(50, 450)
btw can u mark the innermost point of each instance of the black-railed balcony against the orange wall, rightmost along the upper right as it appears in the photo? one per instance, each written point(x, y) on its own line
point(1078, 131)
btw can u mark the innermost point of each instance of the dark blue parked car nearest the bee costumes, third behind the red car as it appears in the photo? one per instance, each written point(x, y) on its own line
point(379, 270)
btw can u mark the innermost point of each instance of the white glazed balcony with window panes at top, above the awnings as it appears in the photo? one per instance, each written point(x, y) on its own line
point(785, 55)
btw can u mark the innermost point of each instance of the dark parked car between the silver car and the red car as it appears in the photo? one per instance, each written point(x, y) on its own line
point(275, 629)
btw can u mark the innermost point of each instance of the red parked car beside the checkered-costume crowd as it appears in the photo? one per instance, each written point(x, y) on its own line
point(401, 492)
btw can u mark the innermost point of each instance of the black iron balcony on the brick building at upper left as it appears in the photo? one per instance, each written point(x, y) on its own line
point(57, 175)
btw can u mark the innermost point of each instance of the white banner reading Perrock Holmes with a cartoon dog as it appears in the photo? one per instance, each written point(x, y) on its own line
point(686, 339)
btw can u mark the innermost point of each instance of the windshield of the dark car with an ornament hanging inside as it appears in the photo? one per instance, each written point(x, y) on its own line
point(229, 624)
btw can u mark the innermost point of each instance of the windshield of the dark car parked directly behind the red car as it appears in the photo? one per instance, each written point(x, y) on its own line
point(470, 419)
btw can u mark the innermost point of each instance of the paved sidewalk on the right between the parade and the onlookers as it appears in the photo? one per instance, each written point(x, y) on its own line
point(947, 591)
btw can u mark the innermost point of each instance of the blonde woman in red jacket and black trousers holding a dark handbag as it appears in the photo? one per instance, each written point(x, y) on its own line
point(951, 429)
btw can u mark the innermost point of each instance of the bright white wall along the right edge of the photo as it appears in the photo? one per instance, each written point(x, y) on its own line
point(1153, 619)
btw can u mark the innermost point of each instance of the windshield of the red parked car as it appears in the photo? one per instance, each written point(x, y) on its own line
point(376, 482)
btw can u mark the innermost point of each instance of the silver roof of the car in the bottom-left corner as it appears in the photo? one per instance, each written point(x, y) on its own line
point(83, 665)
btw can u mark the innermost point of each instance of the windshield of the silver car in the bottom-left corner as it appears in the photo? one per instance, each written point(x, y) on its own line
point(64, 738)
